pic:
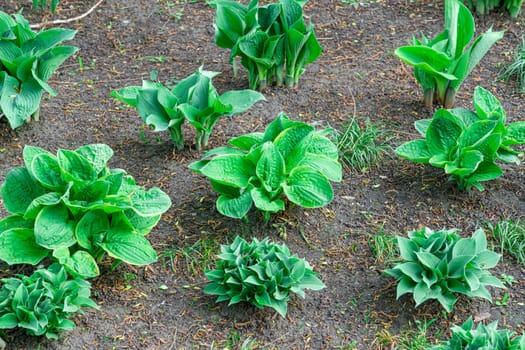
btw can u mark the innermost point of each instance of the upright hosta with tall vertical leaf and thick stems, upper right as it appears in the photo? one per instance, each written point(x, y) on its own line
point(444, 62)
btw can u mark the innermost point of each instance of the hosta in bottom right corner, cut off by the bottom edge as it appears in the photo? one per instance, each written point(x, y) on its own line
point(482, 337)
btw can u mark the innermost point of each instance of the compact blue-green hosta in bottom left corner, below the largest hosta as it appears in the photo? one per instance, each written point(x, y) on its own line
point(44, 302)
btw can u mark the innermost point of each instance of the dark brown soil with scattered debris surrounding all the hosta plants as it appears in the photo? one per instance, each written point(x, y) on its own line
point(122, 41)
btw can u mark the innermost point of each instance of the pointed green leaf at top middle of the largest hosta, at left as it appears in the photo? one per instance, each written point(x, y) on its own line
point(75, 167)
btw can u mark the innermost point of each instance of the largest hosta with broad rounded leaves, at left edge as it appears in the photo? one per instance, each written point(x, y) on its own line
point(73, 208)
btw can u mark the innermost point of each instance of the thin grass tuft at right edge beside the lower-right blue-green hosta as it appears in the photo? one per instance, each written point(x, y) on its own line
point(510, 237)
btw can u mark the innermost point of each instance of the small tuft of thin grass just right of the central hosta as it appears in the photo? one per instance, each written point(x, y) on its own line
point(362, 147)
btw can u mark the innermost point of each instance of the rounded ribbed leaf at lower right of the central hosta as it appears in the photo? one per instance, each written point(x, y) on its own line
point(308, 188)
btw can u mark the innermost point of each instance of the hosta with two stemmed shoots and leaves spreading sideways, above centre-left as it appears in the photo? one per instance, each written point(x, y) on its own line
point(194, 99)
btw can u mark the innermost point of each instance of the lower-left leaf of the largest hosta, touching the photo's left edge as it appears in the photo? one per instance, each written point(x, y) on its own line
point(18, 246)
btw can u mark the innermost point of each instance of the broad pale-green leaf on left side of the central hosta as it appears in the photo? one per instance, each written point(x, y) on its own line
point(232, 170)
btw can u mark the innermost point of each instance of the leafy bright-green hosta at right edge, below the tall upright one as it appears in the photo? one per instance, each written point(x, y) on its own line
point(466, 144)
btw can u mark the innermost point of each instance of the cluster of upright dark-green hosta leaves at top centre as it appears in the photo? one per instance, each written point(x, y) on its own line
point(273, 41)
